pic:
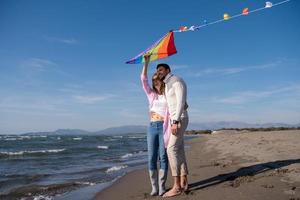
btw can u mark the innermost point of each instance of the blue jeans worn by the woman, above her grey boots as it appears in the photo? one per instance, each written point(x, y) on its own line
point(156, 146)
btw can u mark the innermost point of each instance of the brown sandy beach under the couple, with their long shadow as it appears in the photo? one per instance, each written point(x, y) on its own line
point(229, 165)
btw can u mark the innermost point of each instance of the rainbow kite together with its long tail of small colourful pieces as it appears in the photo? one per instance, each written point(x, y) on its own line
point(165, 46)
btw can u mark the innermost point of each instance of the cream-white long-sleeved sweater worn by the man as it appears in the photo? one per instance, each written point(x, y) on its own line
point(176, 94)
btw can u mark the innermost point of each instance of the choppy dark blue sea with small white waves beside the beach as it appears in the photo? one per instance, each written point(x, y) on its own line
point(60, 167)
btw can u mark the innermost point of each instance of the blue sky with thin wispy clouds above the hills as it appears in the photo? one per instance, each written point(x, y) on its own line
point(62, 62)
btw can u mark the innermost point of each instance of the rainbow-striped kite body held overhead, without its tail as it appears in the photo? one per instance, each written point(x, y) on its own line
point(163, 48)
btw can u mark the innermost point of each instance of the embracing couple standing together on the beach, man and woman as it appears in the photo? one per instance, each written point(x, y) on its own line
point(165, 136)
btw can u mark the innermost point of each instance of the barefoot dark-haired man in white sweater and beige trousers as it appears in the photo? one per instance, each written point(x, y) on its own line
point(176, 93)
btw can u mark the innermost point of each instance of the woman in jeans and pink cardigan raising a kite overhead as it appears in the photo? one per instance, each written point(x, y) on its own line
point(157, 135)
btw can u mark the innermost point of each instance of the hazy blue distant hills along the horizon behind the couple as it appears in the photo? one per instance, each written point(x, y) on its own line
point(143, 129)
